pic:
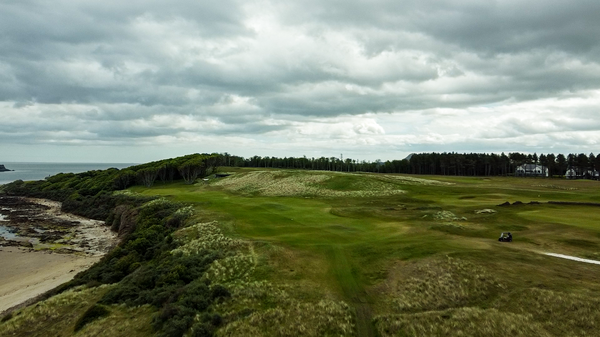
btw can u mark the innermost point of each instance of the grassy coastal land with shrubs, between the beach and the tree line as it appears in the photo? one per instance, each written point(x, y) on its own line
point(291, 252)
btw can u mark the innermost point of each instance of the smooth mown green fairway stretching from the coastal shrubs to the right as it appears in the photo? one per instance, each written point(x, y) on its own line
point(351, 247)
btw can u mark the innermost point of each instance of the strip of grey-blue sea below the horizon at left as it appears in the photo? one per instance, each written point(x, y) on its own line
point(38, 171)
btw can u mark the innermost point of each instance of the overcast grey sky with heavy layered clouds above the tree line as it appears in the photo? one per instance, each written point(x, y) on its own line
point(133, 81)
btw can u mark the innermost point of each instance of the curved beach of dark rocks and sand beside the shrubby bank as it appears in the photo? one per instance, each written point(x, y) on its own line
point(42, 247)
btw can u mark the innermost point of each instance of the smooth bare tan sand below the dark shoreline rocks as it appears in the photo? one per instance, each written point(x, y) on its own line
point(25, 274)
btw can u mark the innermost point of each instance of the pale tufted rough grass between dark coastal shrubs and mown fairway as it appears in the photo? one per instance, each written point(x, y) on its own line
point(259, 308)
